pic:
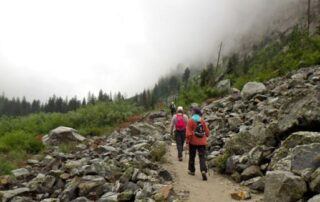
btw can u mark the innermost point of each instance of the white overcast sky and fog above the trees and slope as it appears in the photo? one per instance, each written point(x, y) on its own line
point(70, 47)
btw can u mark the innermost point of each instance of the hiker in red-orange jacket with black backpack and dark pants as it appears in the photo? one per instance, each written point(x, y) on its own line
point(197, 133)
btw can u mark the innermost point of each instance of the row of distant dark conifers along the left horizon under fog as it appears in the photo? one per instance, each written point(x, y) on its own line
point(21, 107)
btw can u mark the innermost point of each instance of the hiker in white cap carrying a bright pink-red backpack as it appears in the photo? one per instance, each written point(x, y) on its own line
point(178, 124)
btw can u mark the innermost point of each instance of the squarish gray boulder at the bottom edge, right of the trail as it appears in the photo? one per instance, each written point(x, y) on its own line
point(283, 186)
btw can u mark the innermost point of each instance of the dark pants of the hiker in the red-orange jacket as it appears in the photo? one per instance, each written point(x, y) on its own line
point(202, 157)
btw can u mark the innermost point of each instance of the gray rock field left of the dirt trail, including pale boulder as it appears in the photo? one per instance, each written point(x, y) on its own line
point(122, 167)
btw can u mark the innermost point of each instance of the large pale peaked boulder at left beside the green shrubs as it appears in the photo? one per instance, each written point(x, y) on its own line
point(62, 134)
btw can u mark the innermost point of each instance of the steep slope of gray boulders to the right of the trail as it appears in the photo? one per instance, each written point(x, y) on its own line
point(268, 136)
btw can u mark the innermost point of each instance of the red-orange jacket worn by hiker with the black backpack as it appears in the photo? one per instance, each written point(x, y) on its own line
point(191, 138)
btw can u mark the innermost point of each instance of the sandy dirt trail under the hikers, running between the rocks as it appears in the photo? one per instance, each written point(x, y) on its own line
point(217, 189)
